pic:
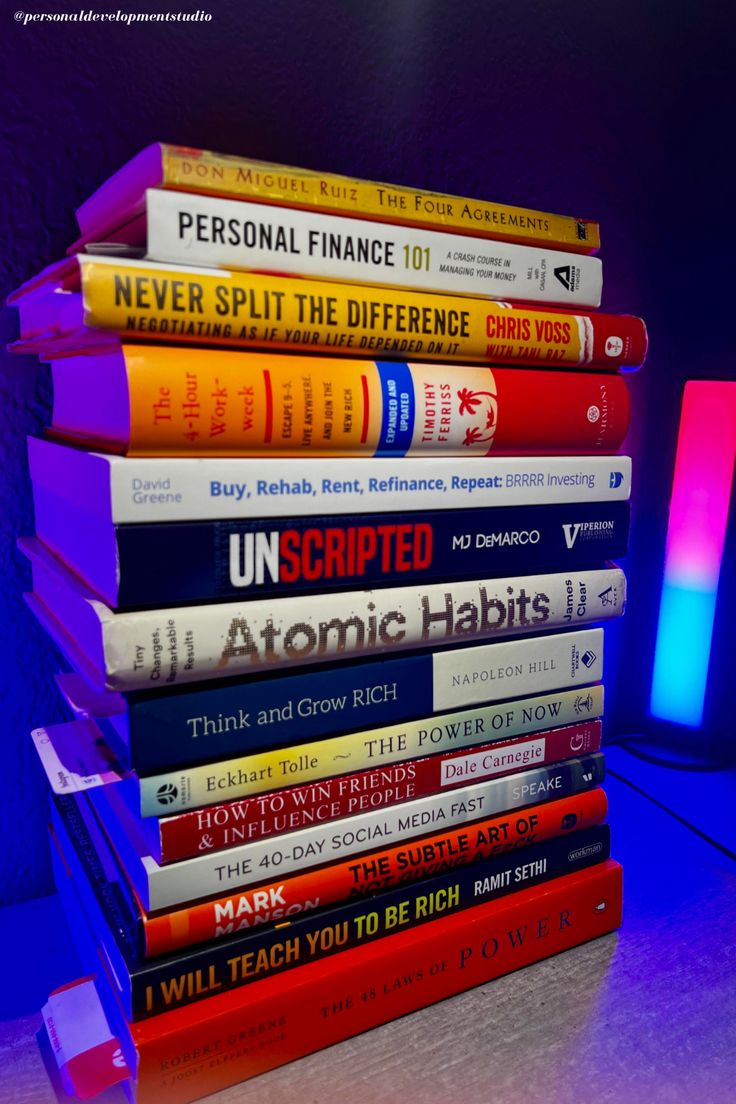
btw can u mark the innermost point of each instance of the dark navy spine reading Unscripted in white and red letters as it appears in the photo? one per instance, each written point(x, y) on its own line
point(173, 564)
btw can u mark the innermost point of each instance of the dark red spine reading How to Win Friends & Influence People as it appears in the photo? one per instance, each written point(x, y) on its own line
point(217, 827)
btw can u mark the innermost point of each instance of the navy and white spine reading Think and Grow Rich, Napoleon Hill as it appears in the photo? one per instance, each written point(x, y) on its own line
point(186, 726)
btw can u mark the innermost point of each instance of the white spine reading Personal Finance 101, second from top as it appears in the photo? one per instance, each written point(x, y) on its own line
point(201, 230)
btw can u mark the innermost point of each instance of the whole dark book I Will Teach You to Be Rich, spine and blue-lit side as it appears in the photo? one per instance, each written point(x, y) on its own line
point(154, 986)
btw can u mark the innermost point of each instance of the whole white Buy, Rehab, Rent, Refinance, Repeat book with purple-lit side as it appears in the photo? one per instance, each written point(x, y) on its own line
point(94, 492)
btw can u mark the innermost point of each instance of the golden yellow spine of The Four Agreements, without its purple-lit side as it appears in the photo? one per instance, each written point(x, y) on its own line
point(238, 178)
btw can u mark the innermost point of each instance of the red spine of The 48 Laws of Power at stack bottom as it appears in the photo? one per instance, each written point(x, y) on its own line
point(200, 1049)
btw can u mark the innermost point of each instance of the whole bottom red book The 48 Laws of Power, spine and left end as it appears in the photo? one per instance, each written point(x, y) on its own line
point(191, 1052)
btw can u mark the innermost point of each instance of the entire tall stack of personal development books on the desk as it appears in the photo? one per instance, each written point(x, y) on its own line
point(330, 611)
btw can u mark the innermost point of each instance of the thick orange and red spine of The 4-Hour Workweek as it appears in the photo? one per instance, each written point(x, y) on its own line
point(190, 402)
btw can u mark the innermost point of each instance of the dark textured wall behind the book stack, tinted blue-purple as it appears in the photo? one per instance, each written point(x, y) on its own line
point(616, 110)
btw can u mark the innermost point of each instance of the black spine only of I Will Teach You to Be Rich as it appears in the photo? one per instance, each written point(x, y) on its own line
point(170, 983)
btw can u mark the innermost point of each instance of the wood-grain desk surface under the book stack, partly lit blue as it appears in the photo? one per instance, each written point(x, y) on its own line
point(648, 1015)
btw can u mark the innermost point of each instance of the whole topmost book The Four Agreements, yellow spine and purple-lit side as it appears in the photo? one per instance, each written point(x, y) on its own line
point(118, 208)
